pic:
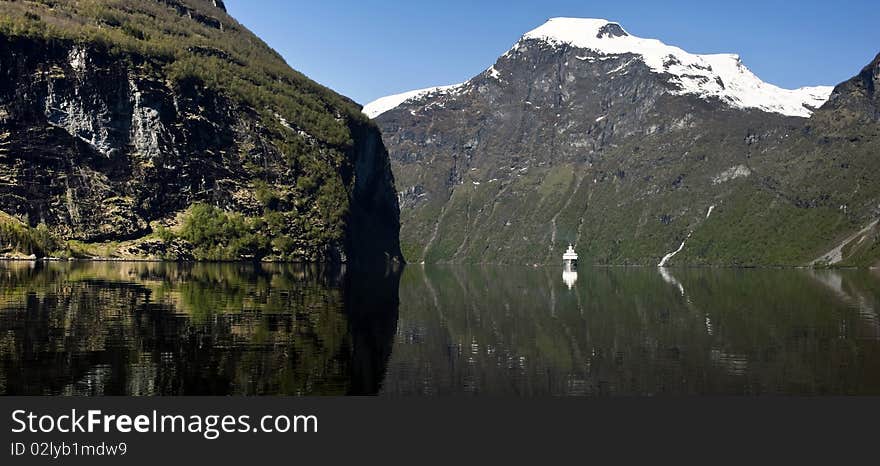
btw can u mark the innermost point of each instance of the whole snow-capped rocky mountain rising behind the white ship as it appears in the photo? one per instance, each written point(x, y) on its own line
point(626, 154)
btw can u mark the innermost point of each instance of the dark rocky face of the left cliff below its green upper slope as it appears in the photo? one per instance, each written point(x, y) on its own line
point(104, 145)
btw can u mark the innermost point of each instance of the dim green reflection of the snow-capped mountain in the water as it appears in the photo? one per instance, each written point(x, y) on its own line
point(636, 331)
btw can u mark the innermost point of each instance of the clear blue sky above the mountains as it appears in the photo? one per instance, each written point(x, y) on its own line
point(371, 48)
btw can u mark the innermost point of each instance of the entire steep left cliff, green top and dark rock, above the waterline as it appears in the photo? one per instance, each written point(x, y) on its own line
point(166, 129)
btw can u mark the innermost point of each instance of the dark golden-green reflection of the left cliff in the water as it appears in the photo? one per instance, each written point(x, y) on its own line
point(114, 328)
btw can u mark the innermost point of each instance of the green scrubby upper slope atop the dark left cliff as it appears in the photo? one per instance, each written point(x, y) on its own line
point(227, 58)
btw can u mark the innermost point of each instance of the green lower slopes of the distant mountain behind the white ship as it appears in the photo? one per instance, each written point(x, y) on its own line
point(633, 206)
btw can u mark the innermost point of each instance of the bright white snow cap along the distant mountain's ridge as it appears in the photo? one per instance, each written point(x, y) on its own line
point(721, 76)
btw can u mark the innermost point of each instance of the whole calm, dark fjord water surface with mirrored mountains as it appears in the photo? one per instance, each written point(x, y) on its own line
point(112, 328)
